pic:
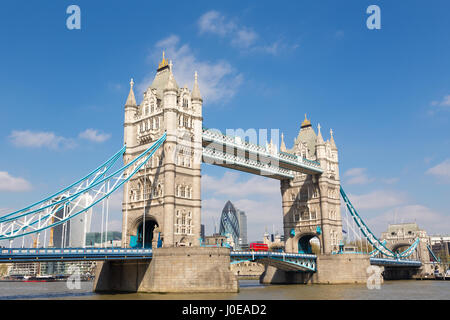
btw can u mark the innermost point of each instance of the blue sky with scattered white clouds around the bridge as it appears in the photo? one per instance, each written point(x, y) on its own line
point(262, 65)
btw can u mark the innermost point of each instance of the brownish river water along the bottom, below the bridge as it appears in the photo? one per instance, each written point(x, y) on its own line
point(249, 290)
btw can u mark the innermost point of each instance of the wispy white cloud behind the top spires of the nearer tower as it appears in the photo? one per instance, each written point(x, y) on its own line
point(217, 80)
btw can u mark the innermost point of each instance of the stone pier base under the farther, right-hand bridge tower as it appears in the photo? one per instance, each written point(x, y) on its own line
point(331, 269)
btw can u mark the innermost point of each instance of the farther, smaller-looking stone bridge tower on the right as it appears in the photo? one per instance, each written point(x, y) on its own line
point(311, 203)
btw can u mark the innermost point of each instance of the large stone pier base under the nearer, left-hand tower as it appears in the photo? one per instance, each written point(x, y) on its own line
point(178, 269)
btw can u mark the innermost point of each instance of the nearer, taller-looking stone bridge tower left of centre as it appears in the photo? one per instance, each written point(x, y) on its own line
point(164, 198)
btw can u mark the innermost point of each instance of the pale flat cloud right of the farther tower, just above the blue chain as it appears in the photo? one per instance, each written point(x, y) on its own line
point(377, 199)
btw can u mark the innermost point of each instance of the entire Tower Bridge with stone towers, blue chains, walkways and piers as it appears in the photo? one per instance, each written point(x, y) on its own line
point(165, 144)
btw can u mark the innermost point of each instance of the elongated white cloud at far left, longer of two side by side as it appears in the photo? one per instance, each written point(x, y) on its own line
point(38, 139)
